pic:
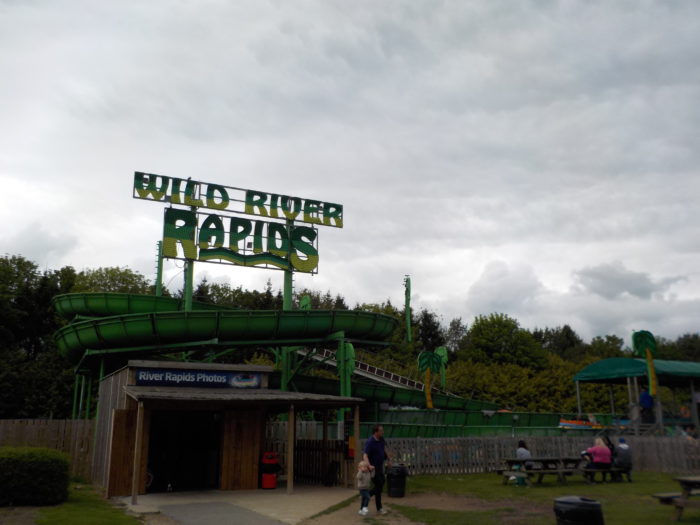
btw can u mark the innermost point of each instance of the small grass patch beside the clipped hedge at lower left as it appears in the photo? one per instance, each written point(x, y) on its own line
point(84, 507)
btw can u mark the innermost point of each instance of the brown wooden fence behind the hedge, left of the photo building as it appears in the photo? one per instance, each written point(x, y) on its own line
point(72, 436)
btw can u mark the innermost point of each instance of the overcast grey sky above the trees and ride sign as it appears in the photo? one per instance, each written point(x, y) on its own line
point(539, 159)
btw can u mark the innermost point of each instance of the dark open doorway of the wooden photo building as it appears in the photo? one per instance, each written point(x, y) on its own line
point(184, 450)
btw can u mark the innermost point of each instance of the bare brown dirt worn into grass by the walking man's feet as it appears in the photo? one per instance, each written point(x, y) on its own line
point(349, 516)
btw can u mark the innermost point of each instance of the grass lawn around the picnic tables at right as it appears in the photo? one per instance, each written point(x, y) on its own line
point(623, 503)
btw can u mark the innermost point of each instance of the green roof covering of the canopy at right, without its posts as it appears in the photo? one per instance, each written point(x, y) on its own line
point(618, 369)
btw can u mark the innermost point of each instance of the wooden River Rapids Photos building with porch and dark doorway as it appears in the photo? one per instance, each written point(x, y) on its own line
point(191, 426)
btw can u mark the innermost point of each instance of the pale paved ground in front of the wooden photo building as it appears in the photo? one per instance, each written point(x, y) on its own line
point(259, 507)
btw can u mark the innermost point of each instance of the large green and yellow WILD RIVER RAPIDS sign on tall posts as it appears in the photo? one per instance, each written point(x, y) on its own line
point(274, 239)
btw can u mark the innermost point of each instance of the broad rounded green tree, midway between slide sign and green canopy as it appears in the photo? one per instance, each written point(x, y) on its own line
point(498, 338)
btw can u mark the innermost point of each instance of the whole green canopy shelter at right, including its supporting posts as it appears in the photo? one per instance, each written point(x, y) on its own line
point(621, 370)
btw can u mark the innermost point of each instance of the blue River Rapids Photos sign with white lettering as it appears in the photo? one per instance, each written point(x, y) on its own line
point(196, 378)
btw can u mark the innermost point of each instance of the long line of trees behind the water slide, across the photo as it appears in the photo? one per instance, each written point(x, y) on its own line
point(493, 358)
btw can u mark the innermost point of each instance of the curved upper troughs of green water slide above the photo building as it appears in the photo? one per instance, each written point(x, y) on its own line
point(106, 324)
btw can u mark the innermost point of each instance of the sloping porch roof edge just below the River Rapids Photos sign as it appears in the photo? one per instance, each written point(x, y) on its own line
point(238, 396)
